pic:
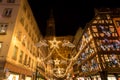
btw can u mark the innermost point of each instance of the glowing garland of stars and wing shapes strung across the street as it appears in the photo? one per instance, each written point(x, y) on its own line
point(54, 46)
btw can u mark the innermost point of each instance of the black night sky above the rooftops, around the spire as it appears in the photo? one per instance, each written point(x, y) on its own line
point(69, 15)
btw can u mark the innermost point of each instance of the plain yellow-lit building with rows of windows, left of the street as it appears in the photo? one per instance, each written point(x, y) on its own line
point(18, 34)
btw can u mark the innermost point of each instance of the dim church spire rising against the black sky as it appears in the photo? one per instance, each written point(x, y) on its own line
point(50, 31)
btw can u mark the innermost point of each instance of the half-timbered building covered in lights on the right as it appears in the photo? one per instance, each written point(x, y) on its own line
point(99, 47)
